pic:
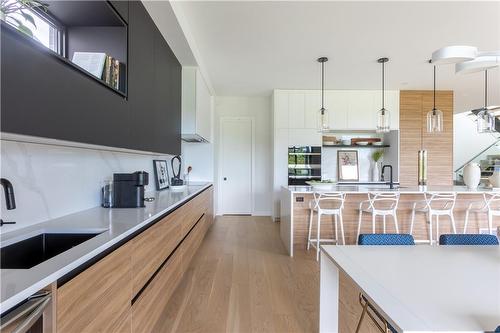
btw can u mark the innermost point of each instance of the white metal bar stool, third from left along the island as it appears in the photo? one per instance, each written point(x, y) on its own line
point(435, 204)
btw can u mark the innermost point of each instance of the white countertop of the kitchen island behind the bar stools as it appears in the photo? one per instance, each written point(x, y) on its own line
point(353, 189)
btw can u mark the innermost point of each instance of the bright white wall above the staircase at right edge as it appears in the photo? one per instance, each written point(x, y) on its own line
point(466, 141)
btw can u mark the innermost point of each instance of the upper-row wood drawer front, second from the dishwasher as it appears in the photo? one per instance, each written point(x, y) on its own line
point(153, 246)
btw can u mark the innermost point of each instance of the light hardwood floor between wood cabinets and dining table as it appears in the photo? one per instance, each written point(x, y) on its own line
point(241, 280)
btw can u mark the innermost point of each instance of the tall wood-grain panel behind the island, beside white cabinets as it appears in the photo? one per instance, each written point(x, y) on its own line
point(413, 109)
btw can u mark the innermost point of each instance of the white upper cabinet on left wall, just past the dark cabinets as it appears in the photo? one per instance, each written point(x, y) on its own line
point(196, 107)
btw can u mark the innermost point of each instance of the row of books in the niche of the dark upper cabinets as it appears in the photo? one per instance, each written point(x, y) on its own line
point(103, 66)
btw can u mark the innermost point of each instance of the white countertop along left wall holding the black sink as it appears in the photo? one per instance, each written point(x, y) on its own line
point(117, 224)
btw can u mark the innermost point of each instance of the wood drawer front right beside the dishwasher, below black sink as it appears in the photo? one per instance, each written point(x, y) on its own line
point(98, 299)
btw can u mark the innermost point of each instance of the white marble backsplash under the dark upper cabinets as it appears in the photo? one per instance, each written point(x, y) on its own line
point(52, 181)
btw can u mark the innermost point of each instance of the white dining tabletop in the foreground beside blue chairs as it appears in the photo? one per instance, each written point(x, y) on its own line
point(427, 288)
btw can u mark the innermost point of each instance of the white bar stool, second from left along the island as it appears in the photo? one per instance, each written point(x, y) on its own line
point(379, 204)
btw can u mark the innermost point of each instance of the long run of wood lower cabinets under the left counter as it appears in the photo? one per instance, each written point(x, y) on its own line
point(127, 290)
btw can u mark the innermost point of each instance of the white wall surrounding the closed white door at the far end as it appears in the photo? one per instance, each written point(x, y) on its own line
point(259, 108)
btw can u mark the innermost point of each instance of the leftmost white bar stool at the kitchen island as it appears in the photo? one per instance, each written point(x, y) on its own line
point(330, 204)
